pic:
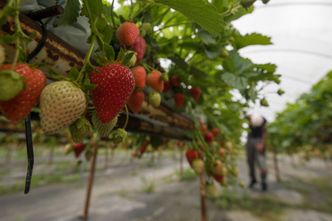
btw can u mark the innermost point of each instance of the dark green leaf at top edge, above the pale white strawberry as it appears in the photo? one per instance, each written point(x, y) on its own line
point(71, 13)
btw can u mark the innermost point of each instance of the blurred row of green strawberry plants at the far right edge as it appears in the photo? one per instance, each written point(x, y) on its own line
point(310, 125)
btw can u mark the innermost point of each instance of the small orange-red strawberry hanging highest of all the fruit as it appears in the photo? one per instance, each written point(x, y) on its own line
point(127, 33)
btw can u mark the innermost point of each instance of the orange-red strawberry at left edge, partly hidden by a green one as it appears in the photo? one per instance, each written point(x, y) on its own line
point(20, 106)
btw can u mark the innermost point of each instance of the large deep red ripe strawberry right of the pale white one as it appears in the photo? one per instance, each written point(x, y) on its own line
point(114, 84)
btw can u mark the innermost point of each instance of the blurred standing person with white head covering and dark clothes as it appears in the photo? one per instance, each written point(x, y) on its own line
point(256, 148)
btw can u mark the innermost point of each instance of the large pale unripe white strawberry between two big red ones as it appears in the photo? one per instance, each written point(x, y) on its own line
point(61, 104)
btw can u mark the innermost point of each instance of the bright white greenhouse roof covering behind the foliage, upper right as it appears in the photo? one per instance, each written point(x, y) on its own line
point(302, 49)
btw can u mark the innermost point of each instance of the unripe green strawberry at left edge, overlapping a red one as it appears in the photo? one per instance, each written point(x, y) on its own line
point(11, 84)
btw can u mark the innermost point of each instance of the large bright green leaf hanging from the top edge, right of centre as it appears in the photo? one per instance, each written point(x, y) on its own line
point(199, 11)
